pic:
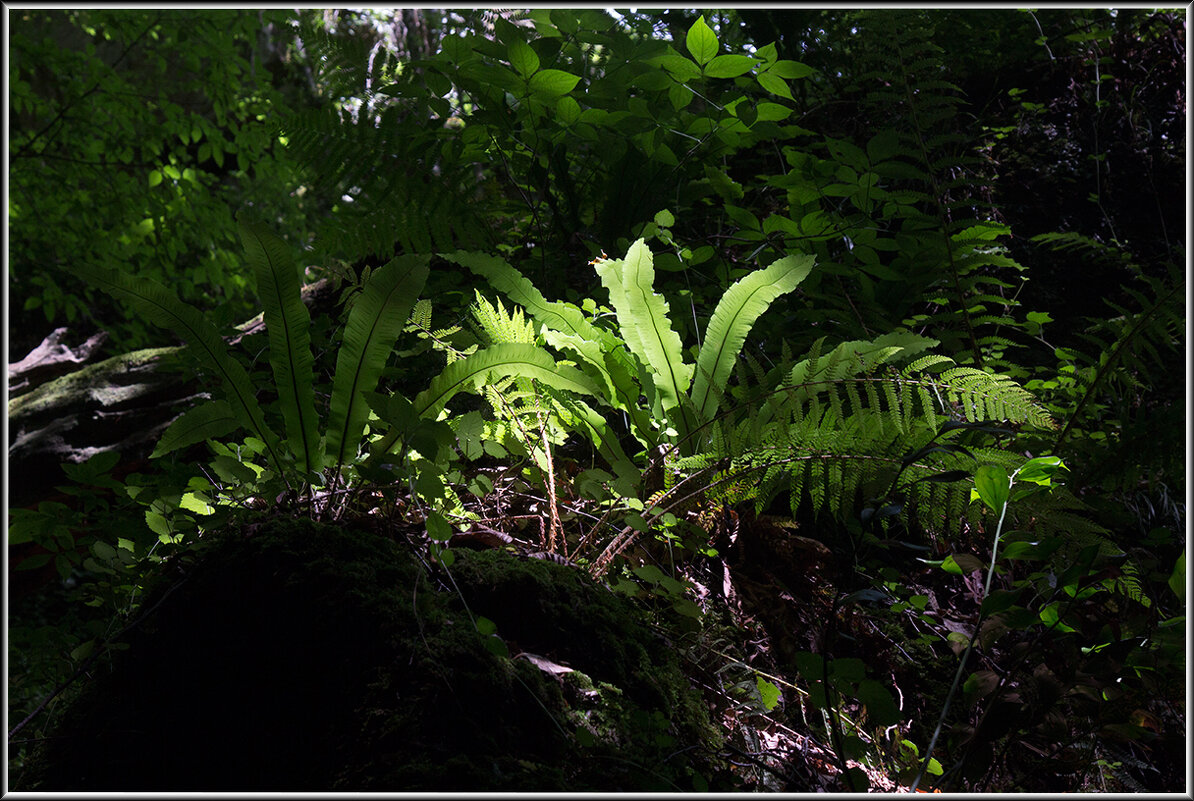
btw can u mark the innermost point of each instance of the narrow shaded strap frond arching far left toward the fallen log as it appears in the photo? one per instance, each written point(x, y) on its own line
point(163, 307)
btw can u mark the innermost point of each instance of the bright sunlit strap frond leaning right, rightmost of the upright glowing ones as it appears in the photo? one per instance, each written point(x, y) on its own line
point(736, 315)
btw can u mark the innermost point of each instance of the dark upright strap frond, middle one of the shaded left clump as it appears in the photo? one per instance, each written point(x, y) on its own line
point(288, 325)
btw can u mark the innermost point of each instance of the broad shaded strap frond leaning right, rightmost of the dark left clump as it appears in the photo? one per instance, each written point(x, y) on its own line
point(374, 325)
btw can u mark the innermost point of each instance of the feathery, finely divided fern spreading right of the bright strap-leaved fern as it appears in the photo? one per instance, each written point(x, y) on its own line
point(836, 434)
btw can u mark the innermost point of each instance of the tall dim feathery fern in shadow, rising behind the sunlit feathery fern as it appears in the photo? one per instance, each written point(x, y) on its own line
point(950, 242)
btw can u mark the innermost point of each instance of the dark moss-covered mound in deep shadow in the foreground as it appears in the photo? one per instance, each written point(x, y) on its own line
point(315, 658)
